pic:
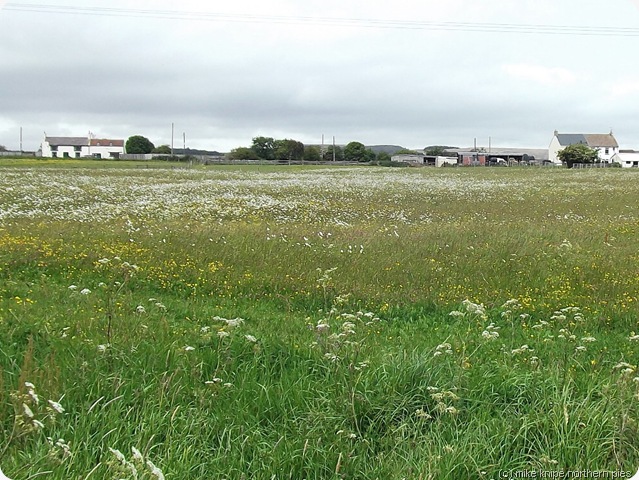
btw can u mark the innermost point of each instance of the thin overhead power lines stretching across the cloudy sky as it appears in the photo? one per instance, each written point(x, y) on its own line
point(534, 29)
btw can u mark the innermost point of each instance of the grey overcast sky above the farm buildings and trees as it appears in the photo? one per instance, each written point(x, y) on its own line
point(409, 72)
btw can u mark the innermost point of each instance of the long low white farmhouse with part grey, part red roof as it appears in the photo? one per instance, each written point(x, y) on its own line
point(78, 147)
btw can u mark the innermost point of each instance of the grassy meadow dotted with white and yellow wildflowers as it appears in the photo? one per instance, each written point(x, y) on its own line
point(316, 323)
